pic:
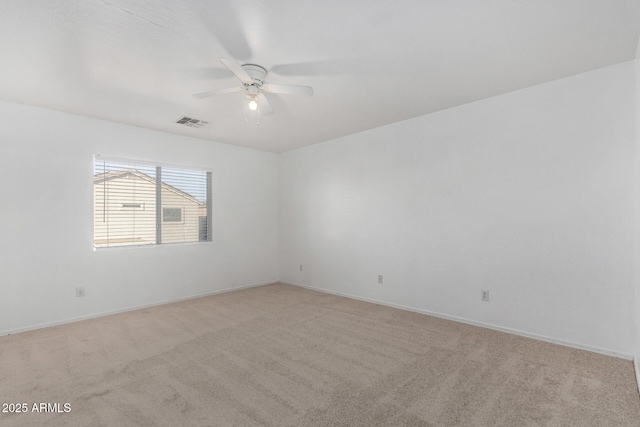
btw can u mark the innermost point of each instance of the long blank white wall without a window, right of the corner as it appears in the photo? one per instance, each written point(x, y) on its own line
point(529, 195)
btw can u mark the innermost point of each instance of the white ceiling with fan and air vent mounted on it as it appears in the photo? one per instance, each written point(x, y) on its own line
point(370, 62)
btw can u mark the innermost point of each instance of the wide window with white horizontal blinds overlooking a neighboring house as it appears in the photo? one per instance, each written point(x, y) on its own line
point(141, 204)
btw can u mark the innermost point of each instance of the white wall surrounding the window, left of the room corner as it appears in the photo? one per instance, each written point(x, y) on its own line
point(46, 220)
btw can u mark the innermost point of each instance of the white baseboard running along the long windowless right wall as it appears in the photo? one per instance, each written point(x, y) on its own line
point(476, 323)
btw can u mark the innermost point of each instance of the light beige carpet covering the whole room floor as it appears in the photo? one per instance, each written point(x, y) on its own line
point(285, 356)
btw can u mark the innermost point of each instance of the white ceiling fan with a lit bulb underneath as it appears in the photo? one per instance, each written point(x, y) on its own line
point(252, 77)
